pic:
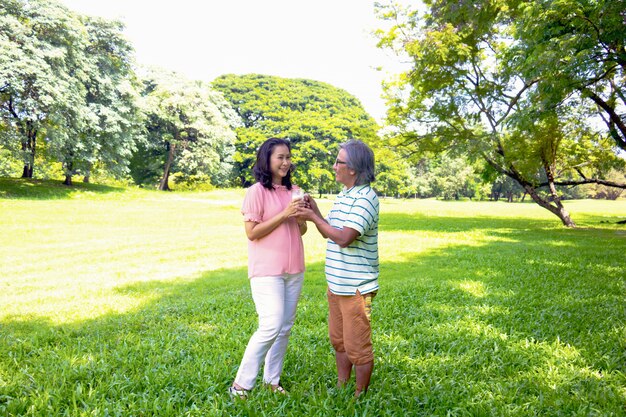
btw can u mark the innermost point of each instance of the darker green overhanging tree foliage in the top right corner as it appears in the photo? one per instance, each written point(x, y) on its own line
point(576, 48)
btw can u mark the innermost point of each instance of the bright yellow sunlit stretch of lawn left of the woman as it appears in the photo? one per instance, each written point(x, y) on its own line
point(86, 248)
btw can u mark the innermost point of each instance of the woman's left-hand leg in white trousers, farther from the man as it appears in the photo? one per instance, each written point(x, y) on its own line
point(268, 295)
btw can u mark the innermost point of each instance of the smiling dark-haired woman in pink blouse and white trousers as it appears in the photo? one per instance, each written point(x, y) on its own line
point(275, 264)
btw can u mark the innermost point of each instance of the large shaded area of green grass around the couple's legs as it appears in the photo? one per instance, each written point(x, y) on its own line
point(528, 325)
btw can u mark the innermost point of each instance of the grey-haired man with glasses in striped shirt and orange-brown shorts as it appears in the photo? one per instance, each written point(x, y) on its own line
point(351, 261)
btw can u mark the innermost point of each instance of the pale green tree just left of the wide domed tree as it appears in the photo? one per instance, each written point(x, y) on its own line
point(189, 126)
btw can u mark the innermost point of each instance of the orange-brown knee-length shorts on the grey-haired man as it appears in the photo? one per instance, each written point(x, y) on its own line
point(349, 326)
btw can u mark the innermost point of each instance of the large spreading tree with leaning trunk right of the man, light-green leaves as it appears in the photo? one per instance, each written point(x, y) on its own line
point(469, 91)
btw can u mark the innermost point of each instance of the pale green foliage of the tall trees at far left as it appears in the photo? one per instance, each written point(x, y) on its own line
point(66, 85)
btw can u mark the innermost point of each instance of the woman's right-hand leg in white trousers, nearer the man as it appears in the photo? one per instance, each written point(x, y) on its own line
point(276, 356)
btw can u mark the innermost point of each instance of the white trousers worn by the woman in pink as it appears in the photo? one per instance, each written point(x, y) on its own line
point(276, 299)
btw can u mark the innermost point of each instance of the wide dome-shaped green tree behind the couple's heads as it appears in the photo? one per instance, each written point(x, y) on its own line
point(314, 116)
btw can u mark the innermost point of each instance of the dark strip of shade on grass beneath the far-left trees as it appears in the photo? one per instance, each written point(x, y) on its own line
point(34, 189)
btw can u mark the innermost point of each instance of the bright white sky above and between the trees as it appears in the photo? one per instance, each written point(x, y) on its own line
point(323, 40)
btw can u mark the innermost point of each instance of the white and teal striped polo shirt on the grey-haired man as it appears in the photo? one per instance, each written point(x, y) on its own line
point(355, 267)
